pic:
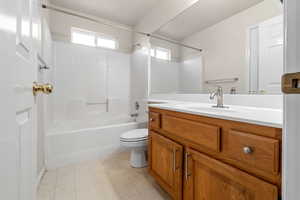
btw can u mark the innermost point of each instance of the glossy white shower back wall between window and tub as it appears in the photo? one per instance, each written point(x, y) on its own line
point(85, 77)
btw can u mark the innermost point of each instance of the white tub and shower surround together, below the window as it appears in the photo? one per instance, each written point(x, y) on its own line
point(90, 106)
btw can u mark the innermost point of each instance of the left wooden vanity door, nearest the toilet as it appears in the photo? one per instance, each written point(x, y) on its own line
point(165, 164)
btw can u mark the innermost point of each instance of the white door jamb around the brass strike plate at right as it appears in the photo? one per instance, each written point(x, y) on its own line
point(291, 136)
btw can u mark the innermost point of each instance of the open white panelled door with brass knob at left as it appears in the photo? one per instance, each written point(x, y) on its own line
point(17, 73)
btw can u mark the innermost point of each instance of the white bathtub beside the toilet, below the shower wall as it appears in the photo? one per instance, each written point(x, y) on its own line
point(73, 141)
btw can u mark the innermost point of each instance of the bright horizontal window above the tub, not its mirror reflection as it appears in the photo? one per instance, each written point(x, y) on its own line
point(89, 38)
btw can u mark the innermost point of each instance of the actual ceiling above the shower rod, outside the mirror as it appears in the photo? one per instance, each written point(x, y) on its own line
point(126, 12)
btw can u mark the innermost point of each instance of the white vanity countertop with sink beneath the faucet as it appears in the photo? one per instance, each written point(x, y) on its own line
point(260, 116)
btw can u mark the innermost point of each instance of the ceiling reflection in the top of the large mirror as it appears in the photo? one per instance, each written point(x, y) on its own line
point(203, 14)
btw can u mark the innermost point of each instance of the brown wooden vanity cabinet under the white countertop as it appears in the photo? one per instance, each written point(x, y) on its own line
point(195, 157)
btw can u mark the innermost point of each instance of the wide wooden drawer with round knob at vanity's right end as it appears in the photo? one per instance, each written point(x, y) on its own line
point(255, 151)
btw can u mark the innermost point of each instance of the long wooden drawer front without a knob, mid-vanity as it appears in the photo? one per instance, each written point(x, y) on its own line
point(198, 133)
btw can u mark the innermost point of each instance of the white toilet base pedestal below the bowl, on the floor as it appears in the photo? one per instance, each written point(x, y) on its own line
point(138, 157)
